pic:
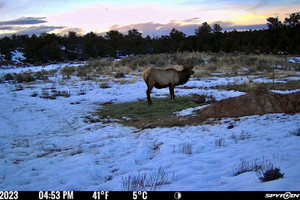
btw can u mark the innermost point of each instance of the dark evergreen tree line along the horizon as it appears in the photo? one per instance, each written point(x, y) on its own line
point(280, 36)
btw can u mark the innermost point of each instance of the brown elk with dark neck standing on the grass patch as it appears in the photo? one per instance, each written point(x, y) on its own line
point(162, 78)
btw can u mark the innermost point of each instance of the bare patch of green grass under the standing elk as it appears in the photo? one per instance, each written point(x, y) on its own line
point(141, 115)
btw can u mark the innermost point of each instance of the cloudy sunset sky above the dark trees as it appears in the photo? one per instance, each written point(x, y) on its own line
point(154, 18)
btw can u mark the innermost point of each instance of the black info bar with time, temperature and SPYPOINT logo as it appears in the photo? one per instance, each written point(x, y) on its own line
point(142, 195)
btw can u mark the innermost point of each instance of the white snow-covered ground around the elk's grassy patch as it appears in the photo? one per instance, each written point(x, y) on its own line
point(52, 145)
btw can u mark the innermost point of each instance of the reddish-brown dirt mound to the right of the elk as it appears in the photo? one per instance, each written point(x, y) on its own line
point(259, 101)
